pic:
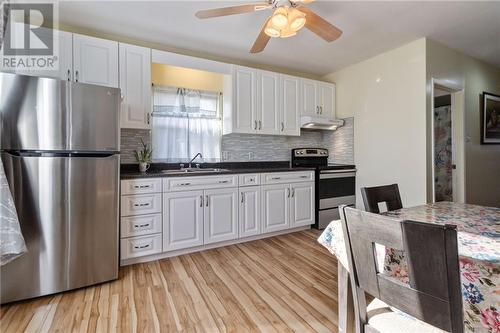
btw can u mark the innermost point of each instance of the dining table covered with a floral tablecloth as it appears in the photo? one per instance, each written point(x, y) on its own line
point(478, 235)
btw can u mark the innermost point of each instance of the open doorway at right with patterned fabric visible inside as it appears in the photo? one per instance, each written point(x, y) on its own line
point(448, 143)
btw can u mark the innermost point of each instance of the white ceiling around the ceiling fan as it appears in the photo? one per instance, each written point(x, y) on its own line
point(369, 29)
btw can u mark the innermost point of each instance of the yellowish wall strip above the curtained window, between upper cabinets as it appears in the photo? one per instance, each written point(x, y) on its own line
point(186, 78)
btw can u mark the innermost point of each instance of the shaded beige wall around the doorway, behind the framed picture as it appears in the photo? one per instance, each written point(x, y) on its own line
point(482, 162)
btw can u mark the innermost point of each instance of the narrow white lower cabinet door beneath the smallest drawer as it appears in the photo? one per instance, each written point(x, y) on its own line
point(249, 220)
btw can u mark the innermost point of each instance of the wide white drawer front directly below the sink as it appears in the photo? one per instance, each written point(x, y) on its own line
point(199, 183)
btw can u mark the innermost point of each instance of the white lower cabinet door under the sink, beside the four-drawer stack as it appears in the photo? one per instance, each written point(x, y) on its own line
point(182, 220)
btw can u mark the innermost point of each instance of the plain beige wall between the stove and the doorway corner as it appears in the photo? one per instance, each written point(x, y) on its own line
point(386, 97)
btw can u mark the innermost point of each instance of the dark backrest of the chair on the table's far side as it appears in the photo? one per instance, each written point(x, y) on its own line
point(387, 193)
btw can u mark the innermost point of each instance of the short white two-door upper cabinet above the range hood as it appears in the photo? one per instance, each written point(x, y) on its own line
point(318, 99)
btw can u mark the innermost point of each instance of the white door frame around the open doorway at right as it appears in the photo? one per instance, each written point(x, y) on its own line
point(453, 88)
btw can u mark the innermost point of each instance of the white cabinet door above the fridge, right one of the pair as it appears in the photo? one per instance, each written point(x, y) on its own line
point(95, 61)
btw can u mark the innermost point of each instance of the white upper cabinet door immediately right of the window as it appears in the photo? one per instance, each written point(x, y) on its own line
point(244, 100)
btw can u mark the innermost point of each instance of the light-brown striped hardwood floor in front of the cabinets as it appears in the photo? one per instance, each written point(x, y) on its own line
point(280, 284)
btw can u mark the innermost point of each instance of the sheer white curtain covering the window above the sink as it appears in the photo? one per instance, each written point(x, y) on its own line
point(185, 122)
